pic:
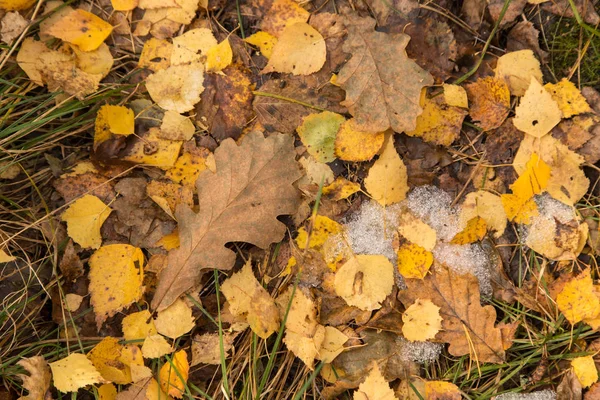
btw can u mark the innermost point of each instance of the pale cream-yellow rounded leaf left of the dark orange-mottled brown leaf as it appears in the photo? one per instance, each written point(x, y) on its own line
point(178, 87)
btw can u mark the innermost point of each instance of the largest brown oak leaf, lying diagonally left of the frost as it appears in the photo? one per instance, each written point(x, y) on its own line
point(240, 202)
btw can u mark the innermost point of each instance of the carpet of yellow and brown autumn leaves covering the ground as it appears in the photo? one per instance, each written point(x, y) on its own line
point(216, 162)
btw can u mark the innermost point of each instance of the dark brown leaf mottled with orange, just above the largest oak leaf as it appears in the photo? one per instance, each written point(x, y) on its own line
point(226, 103)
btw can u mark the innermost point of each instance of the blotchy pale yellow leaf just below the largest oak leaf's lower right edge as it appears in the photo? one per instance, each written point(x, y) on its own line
point(248, 298)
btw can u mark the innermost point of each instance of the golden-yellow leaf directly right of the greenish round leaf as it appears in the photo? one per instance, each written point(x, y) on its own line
point(352, 144)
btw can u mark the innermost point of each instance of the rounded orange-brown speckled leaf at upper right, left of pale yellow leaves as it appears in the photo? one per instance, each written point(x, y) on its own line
point(490, 102)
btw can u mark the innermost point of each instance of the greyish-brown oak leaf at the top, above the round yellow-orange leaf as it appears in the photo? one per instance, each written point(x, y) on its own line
point(383, 86)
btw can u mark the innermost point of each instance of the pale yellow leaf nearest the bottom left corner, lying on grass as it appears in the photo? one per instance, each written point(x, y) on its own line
point(74, 372)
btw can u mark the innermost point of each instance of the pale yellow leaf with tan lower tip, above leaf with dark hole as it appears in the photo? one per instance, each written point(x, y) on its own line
point(518, 68)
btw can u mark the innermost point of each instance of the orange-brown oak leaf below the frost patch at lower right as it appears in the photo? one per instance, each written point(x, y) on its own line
point(466, 326)
